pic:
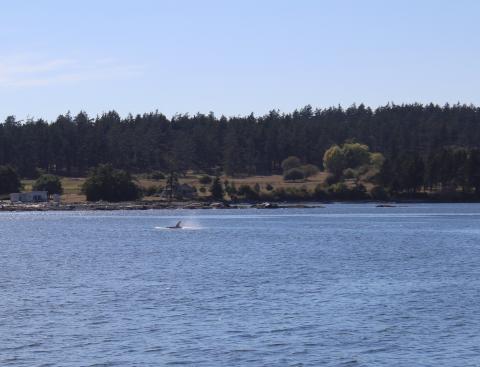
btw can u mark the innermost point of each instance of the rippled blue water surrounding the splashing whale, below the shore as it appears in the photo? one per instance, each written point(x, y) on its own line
point(347, 285)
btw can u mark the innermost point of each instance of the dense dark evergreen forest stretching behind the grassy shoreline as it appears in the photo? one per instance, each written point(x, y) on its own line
point(423, 145)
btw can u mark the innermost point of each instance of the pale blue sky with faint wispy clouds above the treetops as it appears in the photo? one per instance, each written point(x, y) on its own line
point(234, 57)
